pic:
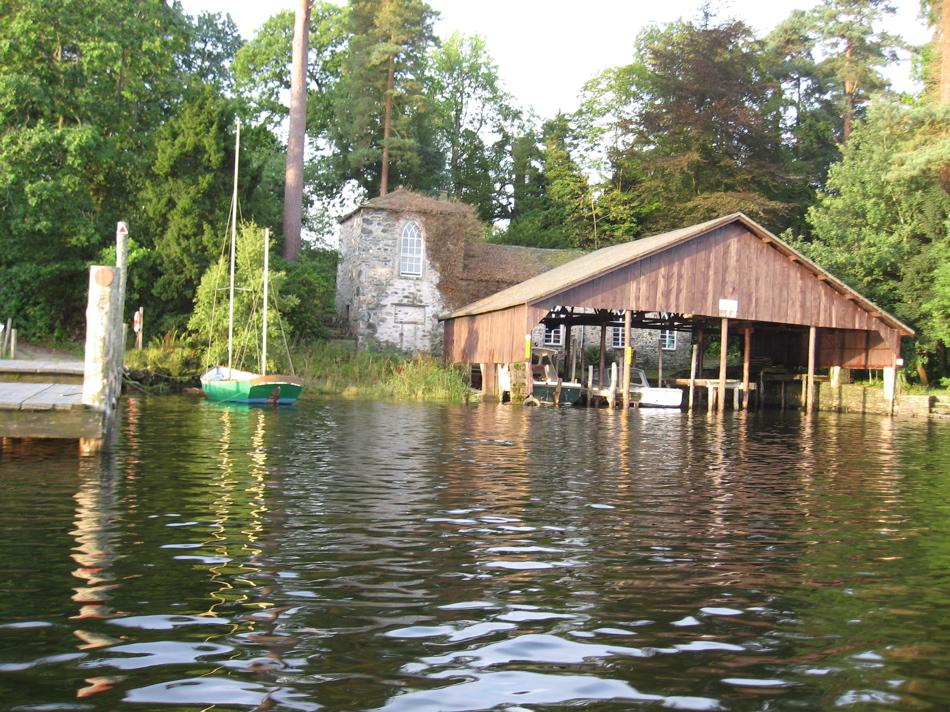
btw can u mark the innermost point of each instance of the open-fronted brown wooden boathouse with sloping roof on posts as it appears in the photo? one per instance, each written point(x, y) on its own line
point(728, 276)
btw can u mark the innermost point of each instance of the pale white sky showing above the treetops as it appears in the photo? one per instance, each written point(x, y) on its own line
point(547, 49)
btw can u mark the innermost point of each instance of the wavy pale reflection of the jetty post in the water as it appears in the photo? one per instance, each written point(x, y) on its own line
point(97, 508)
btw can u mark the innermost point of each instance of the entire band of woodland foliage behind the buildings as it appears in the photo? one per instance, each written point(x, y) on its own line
point(127, 111)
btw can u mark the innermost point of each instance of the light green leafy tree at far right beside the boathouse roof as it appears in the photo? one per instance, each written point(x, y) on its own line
point(883, 225)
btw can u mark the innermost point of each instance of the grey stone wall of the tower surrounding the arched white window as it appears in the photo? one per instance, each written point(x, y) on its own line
point(381, 306)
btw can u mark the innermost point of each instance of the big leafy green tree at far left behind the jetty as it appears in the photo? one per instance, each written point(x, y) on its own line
point(85, 84)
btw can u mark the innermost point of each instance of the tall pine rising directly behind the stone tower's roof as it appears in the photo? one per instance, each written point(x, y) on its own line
point(382, 114)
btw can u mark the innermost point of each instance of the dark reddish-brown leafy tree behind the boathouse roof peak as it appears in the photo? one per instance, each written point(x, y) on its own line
point(696, 123)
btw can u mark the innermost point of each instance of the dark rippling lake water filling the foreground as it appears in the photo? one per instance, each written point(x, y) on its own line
point(343, 555)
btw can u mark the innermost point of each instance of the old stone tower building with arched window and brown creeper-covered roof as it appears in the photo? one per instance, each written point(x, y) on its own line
point(406, 259)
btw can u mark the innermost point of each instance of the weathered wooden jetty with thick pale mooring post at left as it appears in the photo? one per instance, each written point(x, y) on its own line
point(74, 400)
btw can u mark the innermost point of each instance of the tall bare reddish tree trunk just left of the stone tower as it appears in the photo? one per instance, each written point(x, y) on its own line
point(297, 134)
